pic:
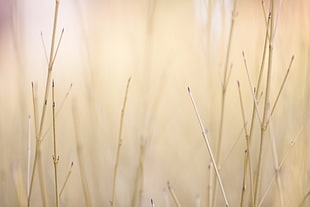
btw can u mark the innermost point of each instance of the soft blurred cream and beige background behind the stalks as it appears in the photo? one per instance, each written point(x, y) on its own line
point(164, 46)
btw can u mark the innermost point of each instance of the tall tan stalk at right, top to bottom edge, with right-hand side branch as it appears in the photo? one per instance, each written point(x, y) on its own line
point(266, 114)
